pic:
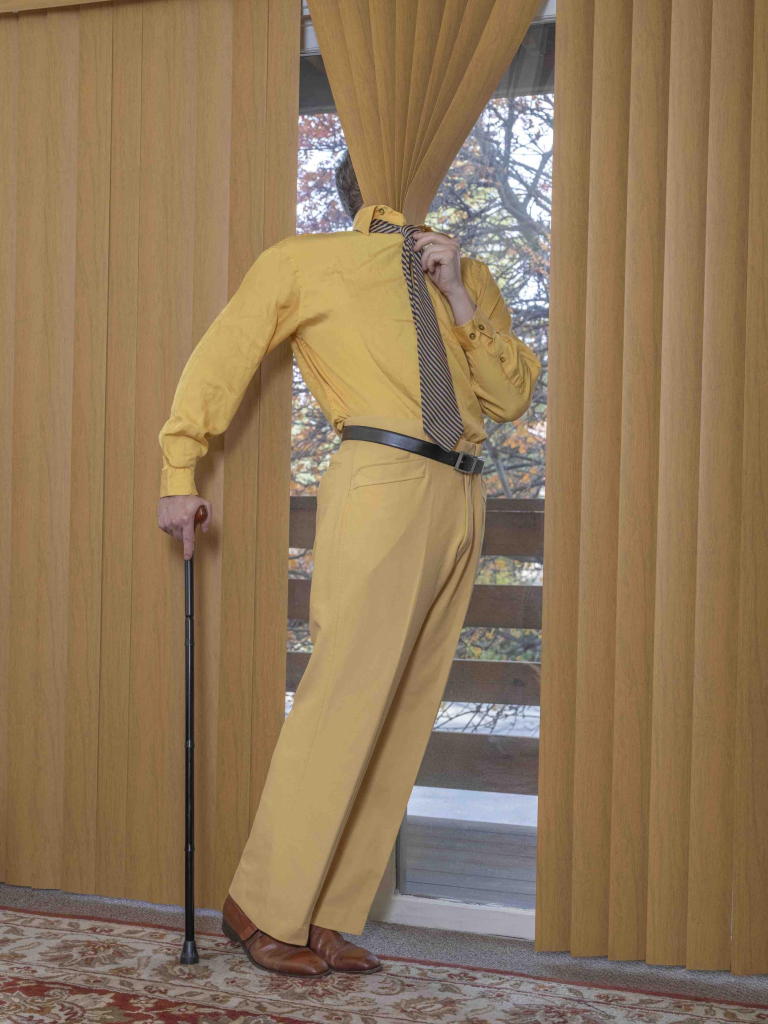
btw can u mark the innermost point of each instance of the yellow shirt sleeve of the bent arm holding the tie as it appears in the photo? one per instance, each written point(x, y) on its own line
point(504, 370)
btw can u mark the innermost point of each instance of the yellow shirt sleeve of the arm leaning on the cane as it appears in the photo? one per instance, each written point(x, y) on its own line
point(263, 313)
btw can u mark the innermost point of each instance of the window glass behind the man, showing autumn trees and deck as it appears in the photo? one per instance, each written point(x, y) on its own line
point(470, 834)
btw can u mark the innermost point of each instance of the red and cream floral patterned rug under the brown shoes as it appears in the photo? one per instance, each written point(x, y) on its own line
point(62, 970)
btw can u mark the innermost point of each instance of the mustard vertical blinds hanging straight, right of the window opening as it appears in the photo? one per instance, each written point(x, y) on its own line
point(654, 773)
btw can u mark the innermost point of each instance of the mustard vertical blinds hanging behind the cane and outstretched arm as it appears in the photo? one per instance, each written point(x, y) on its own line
point(148, 155)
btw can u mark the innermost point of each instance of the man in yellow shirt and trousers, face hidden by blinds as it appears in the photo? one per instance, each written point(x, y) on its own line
point(405, 345)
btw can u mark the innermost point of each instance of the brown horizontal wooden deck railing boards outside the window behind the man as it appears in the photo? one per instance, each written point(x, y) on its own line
point(459, 760)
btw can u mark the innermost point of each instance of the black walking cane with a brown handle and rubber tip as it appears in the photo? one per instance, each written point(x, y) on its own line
point(190, 951)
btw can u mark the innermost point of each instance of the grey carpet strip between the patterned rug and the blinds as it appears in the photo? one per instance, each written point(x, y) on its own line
point(433, 945)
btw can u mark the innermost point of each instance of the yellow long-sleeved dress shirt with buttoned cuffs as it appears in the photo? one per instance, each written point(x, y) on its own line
point(343, 300)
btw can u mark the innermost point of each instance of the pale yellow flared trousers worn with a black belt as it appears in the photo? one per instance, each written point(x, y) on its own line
point(398, 542)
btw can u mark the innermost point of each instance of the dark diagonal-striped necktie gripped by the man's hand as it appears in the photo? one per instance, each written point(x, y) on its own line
point(441, 415)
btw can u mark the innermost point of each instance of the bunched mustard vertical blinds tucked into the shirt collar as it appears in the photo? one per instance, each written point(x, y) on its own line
point(410, 79)
